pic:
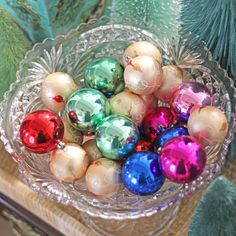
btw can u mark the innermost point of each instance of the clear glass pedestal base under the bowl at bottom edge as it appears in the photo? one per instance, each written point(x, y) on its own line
point(150, 225)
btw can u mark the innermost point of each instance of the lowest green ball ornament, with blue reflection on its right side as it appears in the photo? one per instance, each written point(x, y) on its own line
point(116, 137)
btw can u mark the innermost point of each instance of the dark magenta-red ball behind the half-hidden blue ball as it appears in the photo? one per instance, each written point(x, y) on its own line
point(155, 122)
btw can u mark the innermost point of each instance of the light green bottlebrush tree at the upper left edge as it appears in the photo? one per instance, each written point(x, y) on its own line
point(13, 44)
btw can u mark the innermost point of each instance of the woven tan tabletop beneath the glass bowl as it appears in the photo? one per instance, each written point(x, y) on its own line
point(67, 219)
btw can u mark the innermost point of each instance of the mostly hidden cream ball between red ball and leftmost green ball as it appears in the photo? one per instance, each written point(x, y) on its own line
point(71, 135)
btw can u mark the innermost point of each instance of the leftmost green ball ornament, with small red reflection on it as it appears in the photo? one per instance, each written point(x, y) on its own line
point(86, 108)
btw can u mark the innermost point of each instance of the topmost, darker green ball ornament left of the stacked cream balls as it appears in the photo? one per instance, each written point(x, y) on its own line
point(106, 75)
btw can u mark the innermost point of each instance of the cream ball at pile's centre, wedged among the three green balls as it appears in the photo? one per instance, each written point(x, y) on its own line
point(130, 105)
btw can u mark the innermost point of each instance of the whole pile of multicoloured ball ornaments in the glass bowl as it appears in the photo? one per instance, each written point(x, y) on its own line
point(113, 131)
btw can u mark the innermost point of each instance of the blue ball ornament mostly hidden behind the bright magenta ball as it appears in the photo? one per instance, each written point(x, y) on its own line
point(169, 134)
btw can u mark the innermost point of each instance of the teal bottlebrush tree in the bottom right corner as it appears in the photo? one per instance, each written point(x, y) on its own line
point(215, 214)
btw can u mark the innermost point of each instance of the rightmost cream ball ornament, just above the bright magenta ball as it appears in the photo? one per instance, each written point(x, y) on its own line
point(208, 124)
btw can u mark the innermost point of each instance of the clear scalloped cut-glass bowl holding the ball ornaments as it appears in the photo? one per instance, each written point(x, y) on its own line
point(71, 53)
